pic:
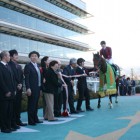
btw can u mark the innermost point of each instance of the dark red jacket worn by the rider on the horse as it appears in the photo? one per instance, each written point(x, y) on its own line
point(106, 53)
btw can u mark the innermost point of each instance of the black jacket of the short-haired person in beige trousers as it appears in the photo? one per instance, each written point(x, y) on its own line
point(52, 83)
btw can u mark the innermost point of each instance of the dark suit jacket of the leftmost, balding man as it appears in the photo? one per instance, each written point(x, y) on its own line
point(7, 82)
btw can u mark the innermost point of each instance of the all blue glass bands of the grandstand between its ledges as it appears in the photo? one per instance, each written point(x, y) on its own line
point(25, 45)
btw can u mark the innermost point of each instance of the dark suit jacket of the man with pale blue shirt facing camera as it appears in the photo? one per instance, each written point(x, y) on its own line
point(31, 77)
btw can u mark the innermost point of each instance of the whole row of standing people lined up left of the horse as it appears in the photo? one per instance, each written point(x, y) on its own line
point(48, 81)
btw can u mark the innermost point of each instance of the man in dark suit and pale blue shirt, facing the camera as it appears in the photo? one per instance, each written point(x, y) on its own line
point(33, 87)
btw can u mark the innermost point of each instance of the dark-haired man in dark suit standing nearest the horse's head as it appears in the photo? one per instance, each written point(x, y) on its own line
point(82, 86)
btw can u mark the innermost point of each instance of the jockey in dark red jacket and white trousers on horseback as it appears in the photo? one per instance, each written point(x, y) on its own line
point(106, 52)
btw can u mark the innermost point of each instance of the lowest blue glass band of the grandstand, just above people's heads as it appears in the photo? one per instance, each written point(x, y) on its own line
point(25, 46)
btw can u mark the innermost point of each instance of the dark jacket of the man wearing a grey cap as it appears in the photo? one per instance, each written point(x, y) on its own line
point(68, 71)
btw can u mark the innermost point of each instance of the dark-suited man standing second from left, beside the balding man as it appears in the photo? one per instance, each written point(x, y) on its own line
point(18, 74)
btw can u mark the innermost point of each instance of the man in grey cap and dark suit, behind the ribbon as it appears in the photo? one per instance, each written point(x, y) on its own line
point(69, 71)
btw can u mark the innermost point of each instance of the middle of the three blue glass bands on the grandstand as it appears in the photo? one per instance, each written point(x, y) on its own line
point(36, 24)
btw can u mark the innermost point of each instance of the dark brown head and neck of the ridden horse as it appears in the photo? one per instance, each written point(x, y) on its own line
point(99, 62)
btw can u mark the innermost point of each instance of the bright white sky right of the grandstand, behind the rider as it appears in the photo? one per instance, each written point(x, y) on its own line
point(118, 23)
